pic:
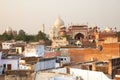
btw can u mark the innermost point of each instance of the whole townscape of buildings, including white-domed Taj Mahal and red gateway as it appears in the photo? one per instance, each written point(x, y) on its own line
point(89, 54)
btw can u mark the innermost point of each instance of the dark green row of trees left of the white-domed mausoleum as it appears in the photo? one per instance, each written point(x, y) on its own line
point(24, 37)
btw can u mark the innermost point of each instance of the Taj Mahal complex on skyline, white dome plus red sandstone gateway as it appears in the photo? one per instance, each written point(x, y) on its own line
point(78, 32)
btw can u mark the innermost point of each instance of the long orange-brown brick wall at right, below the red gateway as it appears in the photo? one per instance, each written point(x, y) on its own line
point(81, 55)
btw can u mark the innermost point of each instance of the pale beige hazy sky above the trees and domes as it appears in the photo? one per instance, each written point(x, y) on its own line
point(29, 15)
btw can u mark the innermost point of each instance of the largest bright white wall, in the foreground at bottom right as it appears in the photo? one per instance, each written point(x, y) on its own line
point(88, 75)
